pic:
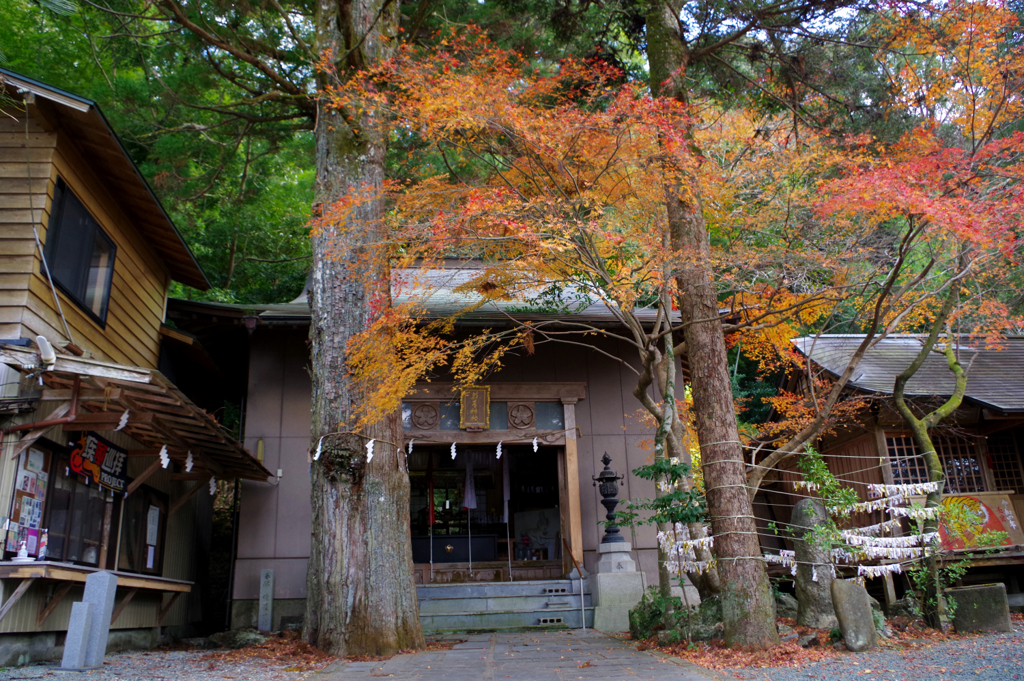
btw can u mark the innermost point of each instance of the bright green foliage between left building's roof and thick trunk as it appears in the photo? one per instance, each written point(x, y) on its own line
point(237, 180)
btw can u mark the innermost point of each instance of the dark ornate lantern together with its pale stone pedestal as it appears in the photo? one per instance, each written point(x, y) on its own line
point(618, 585)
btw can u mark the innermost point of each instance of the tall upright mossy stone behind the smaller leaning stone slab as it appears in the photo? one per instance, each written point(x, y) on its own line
point(815, 607)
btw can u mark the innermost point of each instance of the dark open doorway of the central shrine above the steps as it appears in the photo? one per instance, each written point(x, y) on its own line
point(481, 519)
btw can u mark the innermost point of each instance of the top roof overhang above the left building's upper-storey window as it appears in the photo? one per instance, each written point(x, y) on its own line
point(94, 135)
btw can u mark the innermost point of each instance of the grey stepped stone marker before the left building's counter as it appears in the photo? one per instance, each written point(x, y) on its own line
point(90, 628)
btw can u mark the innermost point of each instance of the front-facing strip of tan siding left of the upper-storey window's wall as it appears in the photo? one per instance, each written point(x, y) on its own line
point(20, 194)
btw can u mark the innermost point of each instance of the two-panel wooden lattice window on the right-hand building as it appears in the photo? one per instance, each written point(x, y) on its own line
point(959, 457)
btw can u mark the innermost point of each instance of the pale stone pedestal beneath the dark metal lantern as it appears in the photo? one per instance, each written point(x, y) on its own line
point(618, 587)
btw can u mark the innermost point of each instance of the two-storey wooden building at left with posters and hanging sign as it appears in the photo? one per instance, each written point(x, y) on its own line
point(106, 462)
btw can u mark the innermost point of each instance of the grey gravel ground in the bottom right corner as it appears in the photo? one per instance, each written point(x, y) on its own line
point(985, 658)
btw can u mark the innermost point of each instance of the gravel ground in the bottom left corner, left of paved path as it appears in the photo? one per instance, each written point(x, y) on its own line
point(175, 665)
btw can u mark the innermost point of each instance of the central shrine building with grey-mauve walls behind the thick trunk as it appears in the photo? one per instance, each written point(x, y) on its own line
point(476, 518)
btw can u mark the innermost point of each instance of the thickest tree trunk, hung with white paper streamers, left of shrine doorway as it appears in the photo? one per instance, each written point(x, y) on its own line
point(361, 595)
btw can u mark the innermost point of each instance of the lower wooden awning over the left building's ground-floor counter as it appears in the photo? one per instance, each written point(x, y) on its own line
point(100, 394)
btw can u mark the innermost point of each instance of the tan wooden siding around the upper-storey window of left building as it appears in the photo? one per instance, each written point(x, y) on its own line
point(140, 284)
